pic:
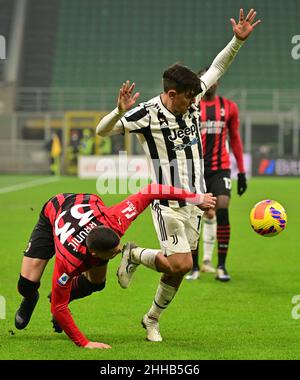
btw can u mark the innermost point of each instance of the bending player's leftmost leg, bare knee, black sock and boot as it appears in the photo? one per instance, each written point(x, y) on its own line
point(29, 282)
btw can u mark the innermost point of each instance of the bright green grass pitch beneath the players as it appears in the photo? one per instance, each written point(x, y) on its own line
point(247, 318)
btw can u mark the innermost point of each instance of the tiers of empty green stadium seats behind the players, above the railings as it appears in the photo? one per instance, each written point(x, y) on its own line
point(86, 50)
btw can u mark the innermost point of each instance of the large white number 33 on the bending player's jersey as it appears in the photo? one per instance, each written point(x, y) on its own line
point(64, 232)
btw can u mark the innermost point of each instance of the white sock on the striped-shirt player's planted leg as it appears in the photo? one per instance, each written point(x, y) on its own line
point(164, 295)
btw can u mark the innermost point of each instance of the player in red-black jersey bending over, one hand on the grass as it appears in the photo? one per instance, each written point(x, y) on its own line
point(83, 234)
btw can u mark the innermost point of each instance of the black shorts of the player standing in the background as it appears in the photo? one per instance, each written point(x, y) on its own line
point(218, 182)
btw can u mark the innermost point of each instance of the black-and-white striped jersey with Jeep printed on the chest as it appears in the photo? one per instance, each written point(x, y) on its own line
point(172, 145)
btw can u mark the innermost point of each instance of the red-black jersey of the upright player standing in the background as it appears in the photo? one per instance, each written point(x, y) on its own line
point(219, 120)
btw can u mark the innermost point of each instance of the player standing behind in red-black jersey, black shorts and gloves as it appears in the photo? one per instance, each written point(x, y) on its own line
point(219, 121)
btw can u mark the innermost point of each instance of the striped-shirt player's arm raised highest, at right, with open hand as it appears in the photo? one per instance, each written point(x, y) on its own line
point(223, 60)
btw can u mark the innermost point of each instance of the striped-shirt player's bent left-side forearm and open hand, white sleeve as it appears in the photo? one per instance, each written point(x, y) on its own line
point(111, 123)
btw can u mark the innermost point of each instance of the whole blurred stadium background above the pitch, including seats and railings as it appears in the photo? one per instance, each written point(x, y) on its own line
point(76, 54)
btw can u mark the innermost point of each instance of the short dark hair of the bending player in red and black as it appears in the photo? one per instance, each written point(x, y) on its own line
point(102, 238)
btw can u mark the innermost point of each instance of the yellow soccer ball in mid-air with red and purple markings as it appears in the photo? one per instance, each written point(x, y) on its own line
point(268, 218)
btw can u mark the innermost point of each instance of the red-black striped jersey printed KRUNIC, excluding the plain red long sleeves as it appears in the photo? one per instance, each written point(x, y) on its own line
point(73, 216)
